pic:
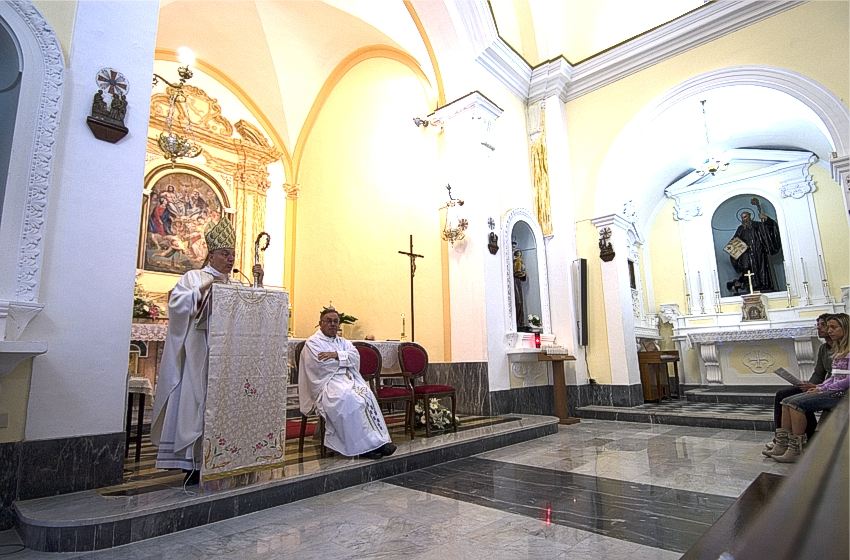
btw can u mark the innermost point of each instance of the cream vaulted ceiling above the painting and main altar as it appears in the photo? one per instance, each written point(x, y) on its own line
point(281, 52)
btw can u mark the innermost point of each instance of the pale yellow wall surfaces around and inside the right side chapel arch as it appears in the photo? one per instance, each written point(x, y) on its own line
point(595, 120)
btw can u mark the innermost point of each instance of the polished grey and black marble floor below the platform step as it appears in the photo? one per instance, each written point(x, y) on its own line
point(598, 489)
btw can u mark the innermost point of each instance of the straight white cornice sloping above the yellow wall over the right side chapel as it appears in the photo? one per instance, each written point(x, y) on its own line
point(701, 26)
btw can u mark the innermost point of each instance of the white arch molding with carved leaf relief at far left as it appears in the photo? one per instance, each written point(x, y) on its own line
point(43, 80)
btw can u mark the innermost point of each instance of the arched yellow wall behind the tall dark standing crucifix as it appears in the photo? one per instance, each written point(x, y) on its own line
point(367, 182)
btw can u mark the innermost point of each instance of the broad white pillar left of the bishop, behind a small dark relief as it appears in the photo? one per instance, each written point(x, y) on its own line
point(79, 386)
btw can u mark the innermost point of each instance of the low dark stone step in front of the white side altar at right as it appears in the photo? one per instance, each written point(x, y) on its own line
point(722, 415)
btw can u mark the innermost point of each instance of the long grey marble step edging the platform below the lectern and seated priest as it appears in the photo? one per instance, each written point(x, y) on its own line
point(90, 520)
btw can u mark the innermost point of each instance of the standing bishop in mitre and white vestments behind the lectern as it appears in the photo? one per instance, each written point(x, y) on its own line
point(178, 409)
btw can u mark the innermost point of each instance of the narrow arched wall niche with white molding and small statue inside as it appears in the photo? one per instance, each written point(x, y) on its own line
point(524, 266)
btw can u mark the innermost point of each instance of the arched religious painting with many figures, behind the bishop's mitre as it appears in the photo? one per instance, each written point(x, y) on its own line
point(180, 204)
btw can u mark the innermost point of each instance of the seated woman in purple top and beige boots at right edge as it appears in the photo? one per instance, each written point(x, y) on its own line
point(791, 435)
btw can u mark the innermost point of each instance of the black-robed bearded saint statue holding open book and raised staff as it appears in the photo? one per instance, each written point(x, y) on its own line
point(750, 250)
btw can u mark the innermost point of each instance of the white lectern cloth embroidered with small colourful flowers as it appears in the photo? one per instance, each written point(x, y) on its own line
point(245, 417)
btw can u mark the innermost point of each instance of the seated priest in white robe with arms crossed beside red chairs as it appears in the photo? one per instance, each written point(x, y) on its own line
point(329, 381)
